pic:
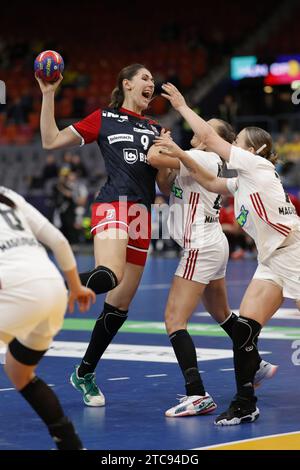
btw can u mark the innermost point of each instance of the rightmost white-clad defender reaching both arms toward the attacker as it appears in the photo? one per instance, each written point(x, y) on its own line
point(265, 212)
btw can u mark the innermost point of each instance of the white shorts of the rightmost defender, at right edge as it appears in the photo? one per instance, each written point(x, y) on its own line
point(283, 268)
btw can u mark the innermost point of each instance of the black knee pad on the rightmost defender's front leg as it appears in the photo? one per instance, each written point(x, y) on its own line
point(245, 333)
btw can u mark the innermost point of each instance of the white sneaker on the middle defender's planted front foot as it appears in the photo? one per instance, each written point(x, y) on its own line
point(193, 405)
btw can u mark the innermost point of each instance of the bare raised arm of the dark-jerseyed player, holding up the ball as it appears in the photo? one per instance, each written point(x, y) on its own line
point(52, 137)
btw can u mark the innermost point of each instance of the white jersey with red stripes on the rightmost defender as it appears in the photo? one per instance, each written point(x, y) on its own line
point(261, 205)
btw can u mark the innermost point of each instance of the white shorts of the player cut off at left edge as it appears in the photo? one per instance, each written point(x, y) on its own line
point(33, 312)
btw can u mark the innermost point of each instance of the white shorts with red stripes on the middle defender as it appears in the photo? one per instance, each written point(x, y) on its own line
point(205, 265)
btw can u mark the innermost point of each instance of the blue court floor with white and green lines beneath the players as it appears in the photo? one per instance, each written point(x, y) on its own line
point(140, 378)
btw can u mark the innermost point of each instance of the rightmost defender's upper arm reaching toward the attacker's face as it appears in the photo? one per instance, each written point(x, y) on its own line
point(208, 135)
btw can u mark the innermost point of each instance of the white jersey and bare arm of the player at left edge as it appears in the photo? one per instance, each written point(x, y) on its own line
point(21, 254)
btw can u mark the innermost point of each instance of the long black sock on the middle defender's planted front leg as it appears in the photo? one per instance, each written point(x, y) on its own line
point(185, 353)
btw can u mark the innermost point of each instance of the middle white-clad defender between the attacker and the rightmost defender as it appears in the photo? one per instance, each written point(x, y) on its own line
point(194, 224)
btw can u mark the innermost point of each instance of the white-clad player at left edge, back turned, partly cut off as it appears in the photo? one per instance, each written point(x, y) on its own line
point(33, 301)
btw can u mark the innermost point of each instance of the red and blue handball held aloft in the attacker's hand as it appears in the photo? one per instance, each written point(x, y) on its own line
point(48, 66)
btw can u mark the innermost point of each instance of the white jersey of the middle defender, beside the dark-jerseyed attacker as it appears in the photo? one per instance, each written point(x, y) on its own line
point(194, 211)
